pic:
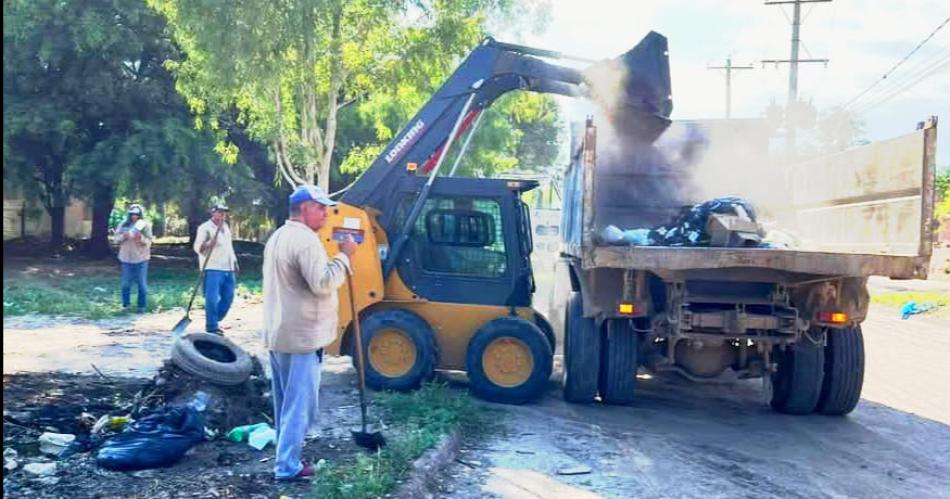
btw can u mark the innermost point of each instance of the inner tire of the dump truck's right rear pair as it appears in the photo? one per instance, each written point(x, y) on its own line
point(796, 385)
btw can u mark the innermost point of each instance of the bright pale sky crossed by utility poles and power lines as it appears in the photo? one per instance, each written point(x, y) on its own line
point(863, 40)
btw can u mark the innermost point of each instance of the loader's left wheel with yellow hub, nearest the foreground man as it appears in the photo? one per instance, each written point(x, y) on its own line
point(400, 350)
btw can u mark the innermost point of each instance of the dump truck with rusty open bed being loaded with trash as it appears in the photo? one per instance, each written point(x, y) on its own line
point(790, 316)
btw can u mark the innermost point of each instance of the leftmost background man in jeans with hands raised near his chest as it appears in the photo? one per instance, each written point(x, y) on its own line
point(134, 237)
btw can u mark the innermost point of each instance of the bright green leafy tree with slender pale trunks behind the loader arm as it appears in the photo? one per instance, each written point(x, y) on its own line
point(290, 67)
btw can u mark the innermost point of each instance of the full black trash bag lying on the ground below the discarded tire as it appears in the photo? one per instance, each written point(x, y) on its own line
point(157, 440)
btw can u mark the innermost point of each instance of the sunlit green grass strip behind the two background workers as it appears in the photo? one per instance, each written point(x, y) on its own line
point(98, 295)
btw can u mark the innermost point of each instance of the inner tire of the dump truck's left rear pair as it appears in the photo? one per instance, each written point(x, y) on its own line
point(618, 362)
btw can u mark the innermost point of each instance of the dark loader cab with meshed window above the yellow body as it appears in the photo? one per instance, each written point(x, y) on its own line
point(471, 243)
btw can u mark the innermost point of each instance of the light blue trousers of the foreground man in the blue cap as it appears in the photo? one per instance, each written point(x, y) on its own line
point(295, 383)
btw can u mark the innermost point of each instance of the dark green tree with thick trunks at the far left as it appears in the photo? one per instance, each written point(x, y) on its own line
point(77, 77)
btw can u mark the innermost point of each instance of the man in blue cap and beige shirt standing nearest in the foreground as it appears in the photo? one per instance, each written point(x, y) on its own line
point(300, 319)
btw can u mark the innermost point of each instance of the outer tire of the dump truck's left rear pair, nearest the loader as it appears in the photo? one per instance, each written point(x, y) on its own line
point(581, 353)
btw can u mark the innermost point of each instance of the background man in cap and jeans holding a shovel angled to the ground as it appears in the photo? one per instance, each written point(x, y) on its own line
point(221, 270)
